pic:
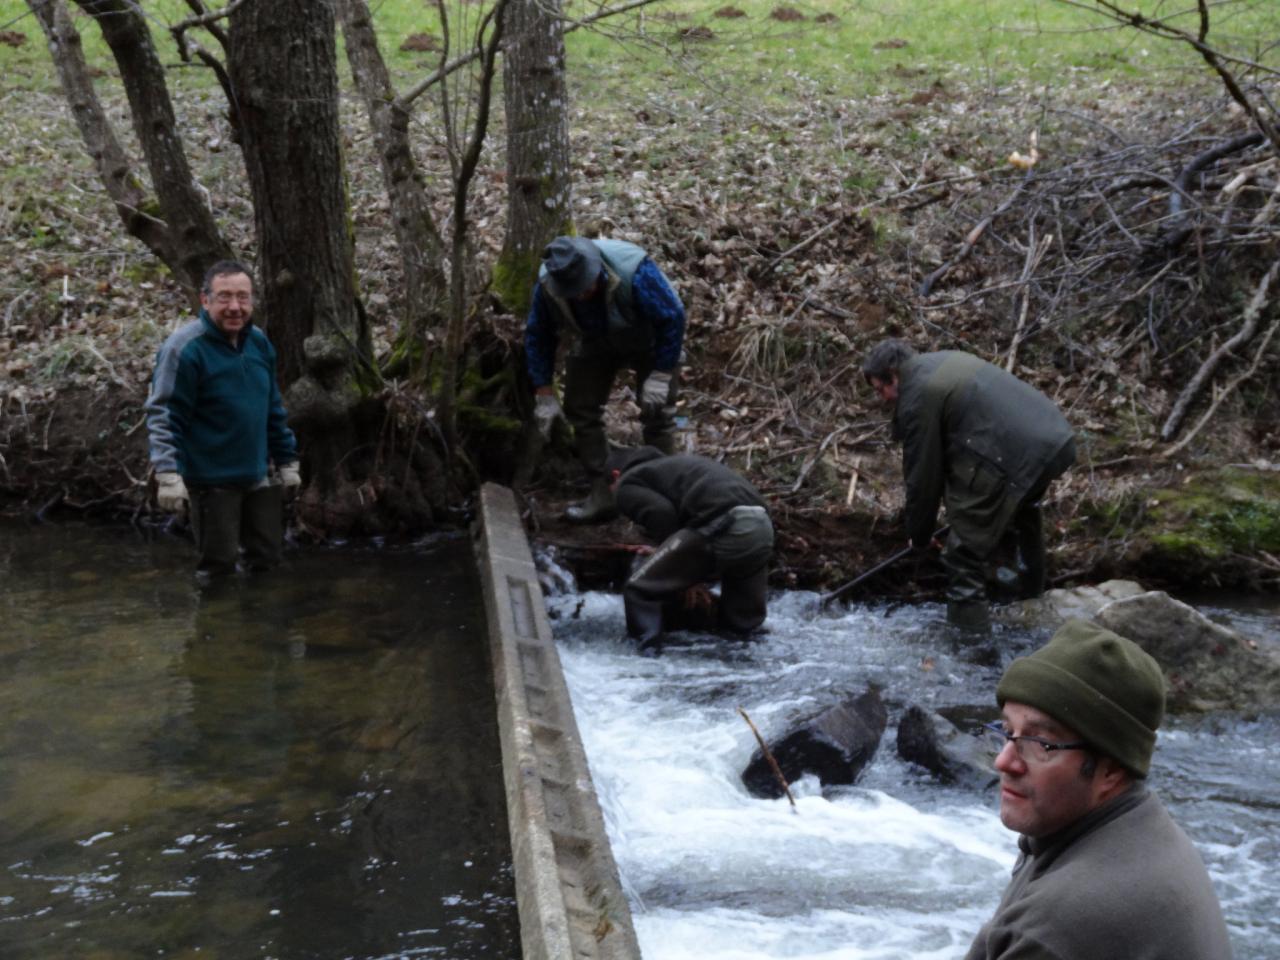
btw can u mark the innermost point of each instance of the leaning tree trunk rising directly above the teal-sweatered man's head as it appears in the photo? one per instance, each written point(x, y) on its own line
point(182, 207)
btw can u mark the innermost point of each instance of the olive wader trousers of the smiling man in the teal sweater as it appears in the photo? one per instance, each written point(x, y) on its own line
point(226, 519)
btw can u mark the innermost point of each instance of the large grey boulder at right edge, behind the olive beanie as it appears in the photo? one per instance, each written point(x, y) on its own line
point(1208, 666)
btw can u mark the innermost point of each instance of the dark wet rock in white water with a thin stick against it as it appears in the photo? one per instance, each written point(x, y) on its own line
point(835, 747)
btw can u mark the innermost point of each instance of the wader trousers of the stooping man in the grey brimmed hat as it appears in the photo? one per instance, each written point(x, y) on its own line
point(588, 383)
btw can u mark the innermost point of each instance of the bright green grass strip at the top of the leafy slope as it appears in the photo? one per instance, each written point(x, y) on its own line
point(863, 49)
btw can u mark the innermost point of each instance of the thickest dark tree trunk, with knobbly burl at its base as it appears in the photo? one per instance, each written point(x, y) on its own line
point(284, 71)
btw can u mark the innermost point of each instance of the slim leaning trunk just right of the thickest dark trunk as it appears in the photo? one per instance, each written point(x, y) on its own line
point(417, 236)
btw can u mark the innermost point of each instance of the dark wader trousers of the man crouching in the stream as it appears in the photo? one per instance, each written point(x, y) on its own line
point(734, 550)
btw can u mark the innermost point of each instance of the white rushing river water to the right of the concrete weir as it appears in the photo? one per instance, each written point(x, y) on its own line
point(895, 867)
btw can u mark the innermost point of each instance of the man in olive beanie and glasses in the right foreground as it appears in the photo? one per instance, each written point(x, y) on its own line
point(1104, 872)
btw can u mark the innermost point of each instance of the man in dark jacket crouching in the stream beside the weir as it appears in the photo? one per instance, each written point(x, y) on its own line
point(712, 525)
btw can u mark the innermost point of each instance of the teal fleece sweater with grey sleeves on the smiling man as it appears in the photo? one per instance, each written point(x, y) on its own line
point(216, 414)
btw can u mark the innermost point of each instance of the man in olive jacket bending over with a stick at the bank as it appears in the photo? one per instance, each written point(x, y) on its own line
point(985, 444)
